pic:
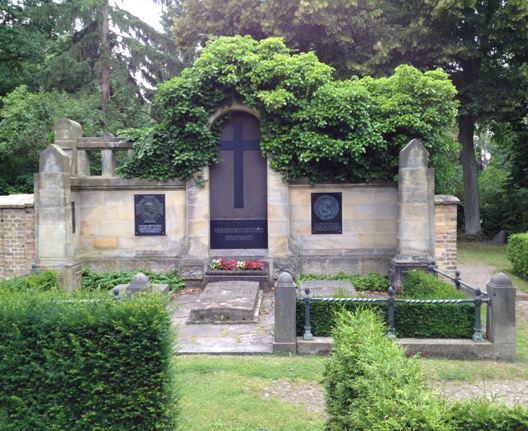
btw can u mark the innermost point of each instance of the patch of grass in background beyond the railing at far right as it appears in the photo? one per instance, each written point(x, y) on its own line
point(489, 254)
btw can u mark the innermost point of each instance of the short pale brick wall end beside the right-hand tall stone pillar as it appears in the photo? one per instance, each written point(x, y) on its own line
point(446, 232)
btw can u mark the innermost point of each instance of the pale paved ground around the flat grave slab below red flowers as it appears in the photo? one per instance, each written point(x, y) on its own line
point(245, 338)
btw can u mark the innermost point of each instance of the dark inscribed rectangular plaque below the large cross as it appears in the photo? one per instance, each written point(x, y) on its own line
point(239, 234)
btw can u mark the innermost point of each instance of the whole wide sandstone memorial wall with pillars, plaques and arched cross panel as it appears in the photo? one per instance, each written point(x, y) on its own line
point(237, 208)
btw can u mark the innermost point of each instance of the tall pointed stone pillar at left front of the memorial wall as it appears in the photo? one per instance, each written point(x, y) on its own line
point(54, 236)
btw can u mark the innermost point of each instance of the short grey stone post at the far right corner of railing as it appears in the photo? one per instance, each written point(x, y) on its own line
point(500, 323)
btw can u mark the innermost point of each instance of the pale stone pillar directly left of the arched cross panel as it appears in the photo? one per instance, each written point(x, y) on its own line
point(196, 247)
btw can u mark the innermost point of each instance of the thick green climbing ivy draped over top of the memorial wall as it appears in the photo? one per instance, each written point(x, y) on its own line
point(311, 124)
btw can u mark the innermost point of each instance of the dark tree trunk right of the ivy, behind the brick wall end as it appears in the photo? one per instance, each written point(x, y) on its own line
point(466, 129)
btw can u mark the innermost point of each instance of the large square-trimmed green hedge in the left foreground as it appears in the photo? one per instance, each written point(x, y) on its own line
point(84, 365)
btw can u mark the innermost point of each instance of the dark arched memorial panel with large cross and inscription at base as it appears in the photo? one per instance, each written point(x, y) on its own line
point(238, 184)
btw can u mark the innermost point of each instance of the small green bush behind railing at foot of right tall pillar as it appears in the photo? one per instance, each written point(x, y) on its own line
point(421, 285)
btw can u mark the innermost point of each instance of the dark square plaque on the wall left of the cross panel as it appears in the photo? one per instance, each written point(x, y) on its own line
point(149, 213)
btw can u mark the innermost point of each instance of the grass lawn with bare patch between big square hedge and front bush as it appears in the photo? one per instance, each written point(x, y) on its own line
point(244, 393)
